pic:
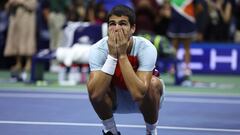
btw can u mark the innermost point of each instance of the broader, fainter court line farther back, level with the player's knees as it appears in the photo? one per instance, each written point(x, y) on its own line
point(85, 96)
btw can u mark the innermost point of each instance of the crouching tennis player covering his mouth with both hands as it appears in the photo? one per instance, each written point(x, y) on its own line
point(122, 78)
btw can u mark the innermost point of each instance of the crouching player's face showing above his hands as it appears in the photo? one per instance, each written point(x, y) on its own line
point(117, 23)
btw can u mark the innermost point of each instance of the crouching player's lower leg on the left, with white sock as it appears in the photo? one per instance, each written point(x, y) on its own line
point(103, 108)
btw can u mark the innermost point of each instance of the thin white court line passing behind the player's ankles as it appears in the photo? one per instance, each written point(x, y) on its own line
point(118, 125)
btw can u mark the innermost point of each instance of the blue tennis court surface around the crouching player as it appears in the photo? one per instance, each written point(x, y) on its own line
point(70, 113)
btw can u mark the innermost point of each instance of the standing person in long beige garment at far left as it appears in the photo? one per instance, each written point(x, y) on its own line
point(21, 37)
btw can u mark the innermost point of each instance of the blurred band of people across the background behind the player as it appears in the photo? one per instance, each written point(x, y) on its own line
point(23, 22)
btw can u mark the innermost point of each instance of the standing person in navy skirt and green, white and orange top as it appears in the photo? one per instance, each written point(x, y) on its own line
point(182, 27)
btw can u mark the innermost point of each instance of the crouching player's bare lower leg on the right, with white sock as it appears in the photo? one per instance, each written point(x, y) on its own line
point(150, 105)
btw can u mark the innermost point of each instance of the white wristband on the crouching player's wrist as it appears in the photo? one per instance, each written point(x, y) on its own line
point(109, 65)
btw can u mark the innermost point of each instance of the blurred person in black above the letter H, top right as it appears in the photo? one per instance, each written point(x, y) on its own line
point(220, 14)
